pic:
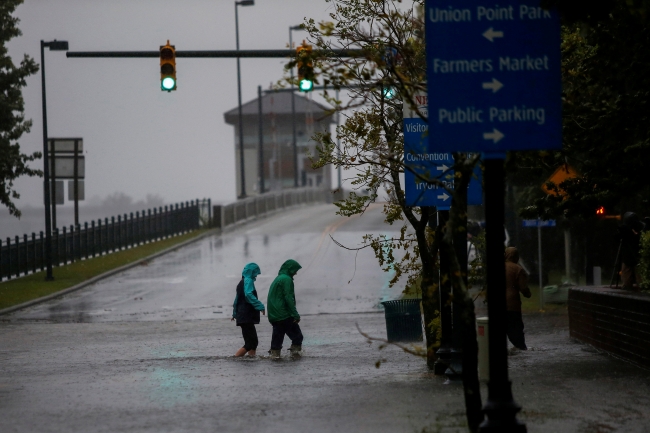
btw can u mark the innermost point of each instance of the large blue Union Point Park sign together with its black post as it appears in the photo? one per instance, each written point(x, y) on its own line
point(494, 85)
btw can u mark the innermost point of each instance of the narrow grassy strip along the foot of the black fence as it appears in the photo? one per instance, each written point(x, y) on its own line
point(23, 289)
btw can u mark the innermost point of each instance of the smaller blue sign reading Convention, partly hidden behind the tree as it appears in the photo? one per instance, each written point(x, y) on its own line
point(422, 164)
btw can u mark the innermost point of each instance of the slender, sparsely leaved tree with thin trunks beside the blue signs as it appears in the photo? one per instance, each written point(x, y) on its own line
point(391, 71)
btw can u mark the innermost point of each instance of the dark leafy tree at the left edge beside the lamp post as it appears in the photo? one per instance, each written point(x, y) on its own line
point(13, 124)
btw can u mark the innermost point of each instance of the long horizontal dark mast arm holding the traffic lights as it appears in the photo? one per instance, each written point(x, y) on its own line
point(219, 53)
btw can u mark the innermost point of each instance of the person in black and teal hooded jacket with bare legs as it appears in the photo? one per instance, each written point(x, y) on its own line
point(246, 309)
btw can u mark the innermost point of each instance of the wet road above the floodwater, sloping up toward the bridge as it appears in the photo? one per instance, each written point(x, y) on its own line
point(198, 281)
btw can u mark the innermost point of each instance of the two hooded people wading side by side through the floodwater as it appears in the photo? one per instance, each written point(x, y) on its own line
point(281, 302)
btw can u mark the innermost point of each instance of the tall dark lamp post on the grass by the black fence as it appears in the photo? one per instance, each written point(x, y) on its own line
point(53, 46)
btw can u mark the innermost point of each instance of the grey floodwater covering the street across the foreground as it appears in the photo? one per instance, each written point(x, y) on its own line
point(181, 376)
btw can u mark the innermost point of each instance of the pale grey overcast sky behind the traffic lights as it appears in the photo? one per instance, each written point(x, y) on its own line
point(138, 139)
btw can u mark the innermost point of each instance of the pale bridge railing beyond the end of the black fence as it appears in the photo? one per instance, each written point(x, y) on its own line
point(253, 207)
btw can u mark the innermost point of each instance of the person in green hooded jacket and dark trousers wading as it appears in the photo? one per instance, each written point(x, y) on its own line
point(283, 315)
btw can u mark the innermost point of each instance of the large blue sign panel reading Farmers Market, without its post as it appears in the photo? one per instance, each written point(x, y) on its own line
point(493, 73)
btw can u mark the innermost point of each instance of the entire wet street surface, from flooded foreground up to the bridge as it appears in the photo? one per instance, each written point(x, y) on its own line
point(150, 350)
